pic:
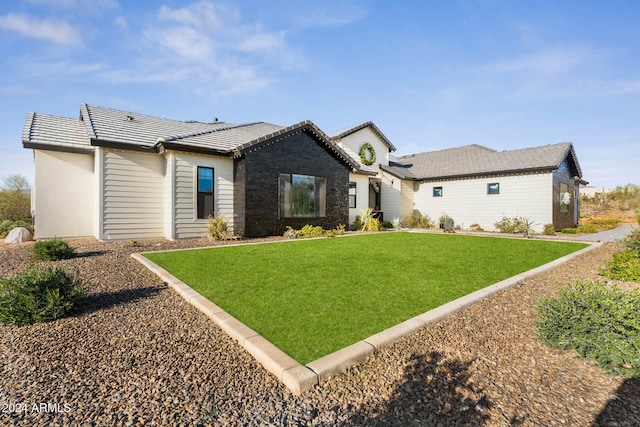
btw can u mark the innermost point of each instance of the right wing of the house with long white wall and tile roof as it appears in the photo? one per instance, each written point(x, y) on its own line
point(479, 185)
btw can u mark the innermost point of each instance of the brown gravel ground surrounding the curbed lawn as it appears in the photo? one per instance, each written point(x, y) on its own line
point(140, 355)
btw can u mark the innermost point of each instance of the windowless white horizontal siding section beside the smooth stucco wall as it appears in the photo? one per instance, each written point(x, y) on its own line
point(133, 188)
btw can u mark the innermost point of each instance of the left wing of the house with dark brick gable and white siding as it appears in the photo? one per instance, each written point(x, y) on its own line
point(118, 175)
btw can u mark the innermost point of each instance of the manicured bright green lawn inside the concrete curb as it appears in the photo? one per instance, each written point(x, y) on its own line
point(313, 297)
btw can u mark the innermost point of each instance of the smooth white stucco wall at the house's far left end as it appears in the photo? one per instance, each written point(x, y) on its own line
point(63, 201)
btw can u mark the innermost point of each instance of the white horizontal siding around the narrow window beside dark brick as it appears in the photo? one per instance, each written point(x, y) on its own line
point(187, 226)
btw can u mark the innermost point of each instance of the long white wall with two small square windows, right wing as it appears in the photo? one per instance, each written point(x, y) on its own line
point(467, 201)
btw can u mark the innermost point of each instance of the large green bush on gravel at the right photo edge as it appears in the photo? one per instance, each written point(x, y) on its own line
point(600, 324)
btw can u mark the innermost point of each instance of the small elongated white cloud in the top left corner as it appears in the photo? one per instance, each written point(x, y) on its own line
point(59, 32)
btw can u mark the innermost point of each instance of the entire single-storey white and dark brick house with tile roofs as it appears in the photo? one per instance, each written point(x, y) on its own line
point(117, 175)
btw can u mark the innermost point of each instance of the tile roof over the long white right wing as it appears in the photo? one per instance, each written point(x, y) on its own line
point(475, 160)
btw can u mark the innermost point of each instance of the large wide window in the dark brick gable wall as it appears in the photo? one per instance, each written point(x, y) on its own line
point(302, 196)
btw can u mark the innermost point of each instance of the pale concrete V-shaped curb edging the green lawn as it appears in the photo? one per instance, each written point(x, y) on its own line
point(299, 378)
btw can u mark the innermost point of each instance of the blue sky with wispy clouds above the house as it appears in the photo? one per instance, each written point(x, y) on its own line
point(429, 74)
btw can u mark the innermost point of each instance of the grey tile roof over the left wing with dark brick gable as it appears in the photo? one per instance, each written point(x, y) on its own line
point(100, 126)
